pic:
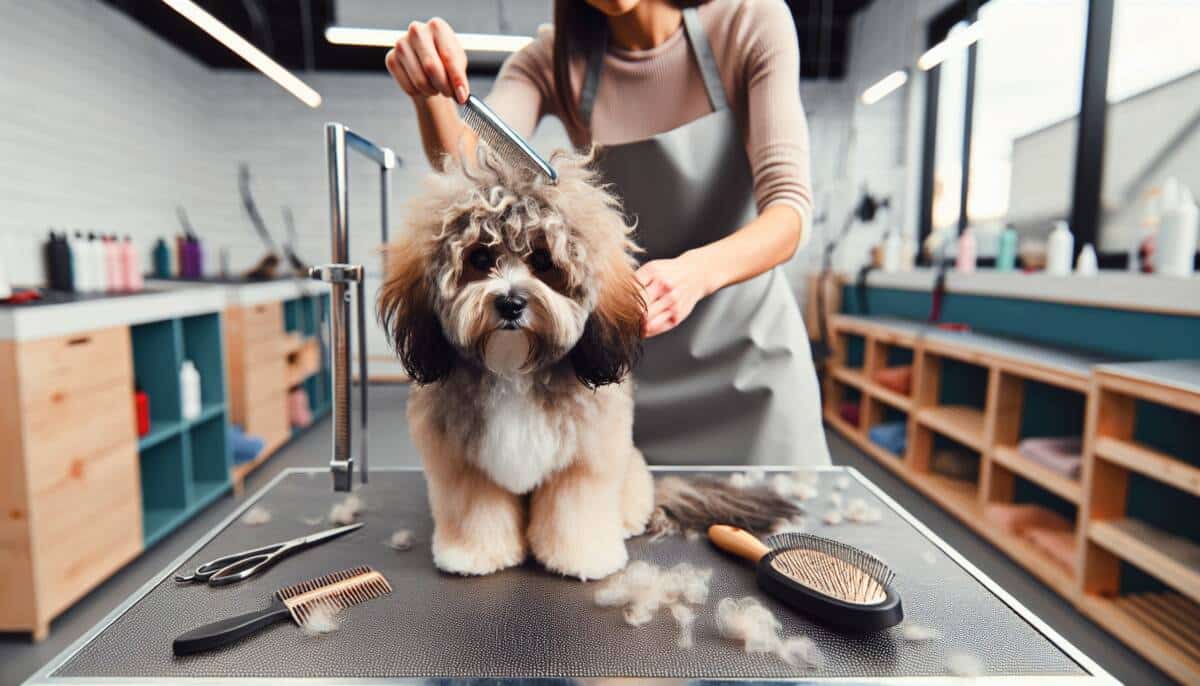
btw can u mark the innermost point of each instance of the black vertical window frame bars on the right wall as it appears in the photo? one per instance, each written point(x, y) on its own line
point(1085, 210)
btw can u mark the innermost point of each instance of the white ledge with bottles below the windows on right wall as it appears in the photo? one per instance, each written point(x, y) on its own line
point(1115, 290)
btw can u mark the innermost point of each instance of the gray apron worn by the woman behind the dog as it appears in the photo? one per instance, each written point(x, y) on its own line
point(733, 384)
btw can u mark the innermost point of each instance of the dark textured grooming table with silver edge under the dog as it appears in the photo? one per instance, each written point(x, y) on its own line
point(526, 624)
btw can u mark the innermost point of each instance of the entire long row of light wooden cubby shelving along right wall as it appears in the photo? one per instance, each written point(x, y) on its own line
point(1163, 625)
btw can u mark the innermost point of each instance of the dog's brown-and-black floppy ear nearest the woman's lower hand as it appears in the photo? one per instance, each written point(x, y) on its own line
point(613, 338)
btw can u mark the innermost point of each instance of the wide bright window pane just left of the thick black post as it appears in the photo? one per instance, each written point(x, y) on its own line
point(1029, 74)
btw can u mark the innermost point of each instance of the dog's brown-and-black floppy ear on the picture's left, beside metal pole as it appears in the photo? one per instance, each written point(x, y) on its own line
point(406, 311)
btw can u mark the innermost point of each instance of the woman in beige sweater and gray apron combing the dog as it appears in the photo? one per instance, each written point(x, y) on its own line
point(698, 110)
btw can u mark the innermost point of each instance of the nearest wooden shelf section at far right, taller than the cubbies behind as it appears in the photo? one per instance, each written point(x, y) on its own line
point(1162, 625)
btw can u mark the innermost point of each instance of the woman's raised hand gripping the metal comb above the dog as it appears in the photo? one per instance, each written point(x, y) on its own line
point(429, 62)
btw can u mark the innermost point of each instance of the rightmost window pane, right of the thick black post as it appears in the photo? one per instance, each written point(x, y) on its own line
point(1154, 117)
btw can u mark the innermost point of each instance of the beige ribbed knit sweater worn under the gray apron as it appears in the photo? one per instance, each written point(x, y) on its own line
point(645, 93)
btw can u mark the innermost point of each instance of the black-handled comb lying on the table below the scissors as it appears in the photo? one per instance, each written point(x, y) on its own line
point(335, 592)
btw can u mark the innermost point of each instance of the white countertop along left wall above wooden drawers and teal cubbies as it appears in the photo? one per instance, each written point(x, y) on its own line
point(74, 314)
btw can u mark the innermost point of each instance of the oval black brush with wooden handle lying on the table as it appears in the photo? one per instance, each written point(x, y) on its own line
point(833, 583)
